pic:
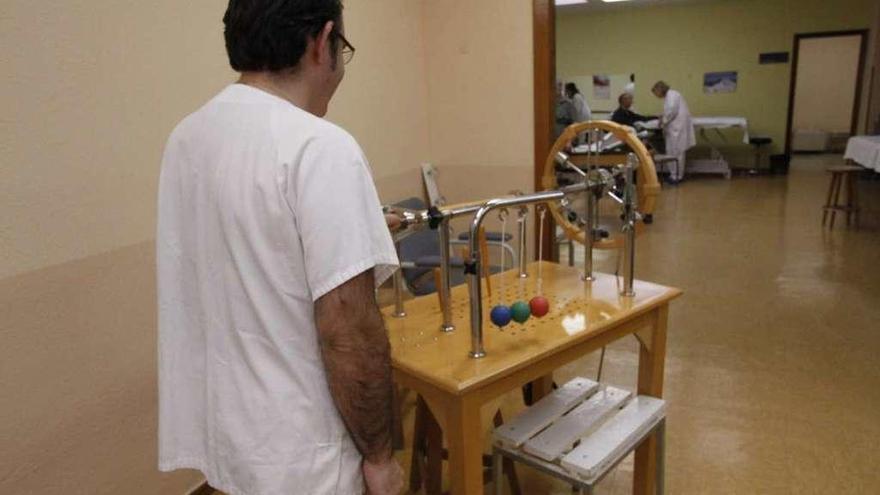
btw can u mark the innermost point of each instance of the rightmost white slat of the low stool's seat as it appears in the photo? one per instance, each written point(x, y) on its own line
point(598, 452)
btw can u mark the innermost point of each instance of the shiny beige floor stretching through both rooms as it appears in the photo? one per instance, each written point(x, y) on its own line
point(772, 374)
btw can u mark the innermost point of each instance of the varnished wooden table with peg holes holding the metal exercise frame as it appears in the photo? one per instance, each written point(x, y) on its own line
point(583, 318)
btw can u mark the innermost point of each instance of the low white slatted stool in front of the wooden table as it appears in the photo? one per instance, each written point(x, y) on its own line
point(580, 432)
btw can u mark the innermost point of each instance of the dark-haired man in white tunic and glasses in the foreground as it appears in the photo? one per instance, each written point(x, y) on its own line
point(274, 363)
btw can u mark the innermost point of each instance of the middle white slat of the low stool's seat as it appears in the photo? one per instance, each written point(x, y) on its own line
point(561, 436)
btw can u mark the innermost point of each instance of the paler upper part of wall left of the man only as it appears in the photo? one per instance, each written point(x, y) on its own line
point(91, 89)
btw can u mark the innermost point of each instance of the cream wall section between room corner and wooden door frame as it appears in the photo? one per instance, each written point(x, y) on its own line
point(479, 72)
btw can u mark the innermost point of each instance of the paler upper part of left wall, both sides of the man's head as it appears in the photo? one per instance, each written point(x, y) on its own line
point(93, 88)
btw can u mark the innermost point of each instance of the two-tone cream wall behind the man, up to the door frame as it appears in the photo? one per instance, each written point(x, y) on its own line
point(91, 91)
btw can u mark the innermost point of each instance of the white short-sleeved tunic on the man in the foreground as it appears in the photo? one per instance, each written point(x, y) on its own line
point(263, 208)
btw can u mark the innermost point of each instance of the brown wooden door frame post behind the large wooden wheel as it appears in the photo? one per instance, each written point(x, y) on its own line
point(544, 40)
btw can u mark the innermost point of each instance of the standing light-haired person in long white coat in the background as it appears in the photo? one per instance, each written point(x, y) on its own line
point(677, 125)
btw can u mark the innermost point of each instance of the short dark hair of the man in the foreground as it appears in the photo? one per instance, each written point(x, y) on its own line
point(272, 35)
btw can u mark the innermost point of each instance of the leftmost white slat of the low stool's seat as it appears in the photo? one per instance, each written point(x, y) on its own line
point(544, 412)
